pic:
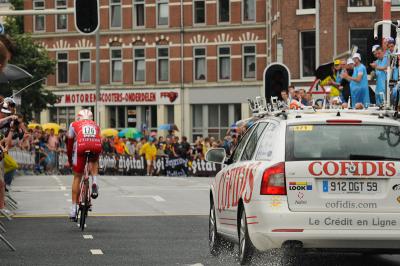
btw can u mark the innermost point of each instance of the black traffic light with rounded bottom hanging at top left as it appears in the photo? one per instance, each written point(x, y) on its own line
point(87, 16)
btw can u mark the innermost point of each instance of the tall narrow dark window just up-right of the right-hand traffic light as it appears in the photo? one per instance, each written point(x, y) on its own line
point(307, 62)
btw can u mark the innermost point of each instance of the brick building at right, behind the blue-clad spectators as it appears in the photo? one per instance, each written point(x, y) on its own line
point(292, 34)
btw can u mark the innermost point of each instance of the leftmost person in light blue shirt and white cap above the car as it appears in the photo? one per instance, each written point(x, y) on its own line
point(358, 84)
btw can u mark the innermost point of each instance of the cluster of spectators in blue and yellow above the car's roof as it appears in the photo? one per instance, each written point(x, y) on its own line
point(350, 84)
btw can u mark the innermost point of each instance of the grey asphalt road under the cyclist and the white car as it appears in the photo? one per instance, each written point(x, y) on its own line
point(159, 221)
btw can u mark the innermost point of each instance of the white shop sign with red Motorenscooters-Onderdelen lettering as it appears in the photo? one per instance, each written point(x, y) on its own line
point(124, 97)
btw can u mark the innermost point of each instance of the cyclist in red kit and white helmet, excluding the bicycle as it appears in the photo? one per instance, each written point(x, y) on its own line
point(83, 136)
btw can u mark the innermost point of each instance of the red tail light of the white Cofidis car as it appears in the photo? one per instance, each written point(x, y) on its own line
point(273, 181)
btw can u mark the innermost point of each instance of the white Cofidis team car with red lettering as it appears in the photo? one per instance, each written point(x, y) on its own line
point(327, 180)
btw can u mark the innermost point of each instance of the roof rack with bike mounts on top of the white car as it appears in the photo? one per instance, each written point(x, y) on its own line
point(261, 108)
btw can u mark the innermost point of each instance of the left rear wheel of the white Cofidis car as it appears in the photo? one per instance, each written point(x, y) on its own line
point(246, 248)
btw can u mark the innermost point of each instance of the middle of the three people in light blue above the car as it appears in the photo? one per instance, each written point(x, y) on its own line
point(380, 66)
